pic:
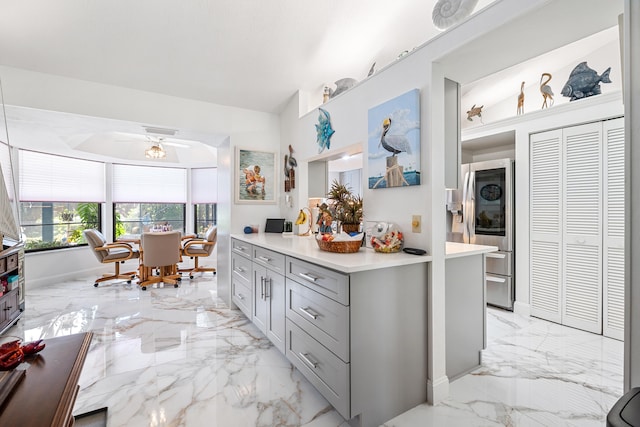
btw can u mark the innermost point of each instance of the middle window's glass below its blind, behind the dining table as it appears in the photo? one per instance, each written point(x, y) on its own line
point(135, 218)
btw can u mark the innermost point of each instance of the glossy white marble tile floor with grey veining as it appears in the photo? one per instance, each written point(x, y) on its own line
point(180, 357)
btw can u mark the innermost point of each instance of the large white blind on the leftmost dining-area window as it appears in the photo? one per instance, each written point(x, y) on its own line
point(52, 178)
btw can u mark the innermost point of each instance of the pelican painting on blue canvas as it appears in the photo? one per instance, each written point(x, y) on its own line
point(394, 142)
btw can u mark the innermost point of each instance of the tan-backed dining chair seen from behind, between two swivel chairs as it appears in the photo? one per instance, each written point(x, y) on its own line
point(161, 251)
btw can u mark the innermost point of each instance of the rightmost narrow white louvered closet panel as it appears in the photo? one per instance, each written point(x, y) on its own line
point(613, 274)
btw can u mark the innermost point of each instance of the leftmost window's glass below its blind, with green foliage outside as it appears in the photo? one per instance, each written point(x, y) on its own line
point(51, 225)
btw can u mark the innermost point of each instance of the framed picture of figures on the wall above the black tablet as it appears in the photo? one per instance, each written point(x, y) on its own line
point(255, 176)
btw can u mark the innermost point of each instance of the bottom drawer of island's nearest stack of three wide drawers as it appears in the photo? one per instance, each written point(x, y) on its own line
point(328, 374)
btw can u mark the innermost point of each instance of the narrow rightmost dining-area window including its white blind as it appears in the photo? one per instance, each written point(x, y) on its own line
point(204, 195)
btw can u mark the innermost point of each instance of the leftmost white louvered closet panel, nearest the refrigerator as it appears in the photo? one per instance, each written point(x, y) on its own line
point(545, 222)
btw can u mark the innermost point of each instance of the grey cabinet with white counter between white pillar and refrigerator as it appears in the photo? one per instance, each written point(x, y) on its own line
point(466, 306)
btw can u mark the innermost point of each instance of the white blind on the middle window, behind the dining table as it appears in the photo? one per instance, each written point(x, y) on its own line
point(149, 184)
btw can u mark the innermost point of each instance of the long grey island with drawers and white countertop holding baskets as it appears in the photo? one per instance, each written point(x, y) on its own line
point(355, 325)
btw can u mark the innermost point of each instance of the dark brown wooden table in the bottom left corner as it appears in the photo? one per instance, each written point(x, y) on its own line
point(46, 394)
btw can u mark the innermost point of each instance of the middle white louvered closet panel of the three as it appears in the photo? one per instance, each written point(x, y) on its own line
point(582, 226)
